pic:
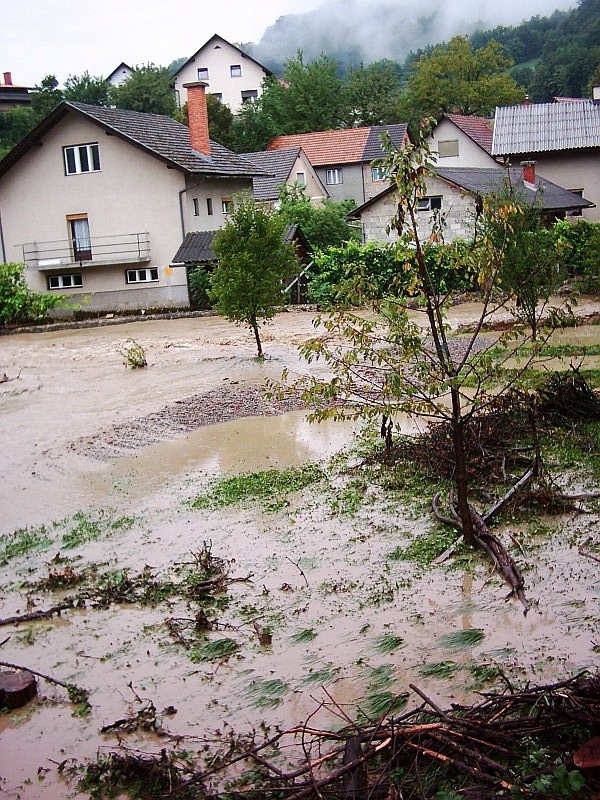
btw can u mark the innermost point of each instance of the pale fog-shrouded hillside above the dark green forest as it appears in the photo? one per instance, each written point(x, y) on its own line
point(353, 30)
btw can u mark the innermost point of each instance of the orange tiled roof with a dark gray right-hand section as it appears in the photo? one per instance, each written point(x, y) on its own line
point(347, 146)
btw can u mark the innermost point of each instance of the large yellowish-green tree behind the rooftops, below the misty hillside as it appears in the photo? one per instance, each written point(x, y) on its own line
point(456, 78)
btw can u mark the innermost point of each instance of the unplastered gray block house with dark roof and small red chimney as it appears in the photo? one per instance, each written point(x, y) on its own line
point(455, 193)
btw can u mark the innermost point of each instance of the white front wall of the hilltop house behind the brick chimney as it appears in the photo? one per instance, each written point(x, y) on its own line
point(218, 57)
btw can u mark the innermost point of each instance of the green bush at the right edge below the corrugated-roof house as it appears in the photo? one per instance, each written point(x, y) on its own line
point(582, 253)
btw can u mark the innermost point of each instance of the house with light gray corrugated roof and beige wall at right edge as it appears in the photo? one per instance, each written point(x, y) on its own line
point(563, 138)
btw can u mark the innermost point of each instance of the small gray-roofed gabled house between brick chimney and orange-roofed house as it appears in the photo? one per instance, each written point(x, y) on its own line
point(287, 167)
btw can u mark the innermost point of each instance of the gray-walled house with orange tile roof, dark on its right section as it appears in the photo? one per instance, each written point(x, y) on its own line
point(343, 158)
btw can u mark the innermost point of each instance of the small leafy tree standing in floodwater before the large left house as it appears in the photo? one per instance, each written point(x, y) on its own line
point(253, 262)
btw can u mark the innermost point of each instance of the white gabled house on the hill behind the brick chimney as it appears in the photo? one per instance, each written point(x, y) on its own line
point(231, 75)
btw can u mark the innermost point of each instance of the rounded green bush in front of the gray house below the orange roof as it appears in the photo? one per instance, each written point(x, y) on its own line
point(324, 225)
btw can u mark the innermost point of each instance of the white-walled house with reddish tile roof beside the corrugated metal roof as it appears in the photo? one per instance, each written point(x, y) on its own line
point(459, 140)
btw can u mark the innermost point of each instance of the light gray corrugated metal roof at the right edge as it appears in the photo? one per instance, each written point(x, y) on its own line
point(546, 127)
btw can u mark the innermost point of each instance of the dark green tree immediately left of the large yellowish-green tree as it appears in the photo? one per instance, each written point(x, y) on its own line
point(374, 94)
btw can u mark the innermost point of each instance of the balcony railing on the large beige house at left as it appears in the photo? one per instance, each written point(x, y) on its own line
point(127, 248)
